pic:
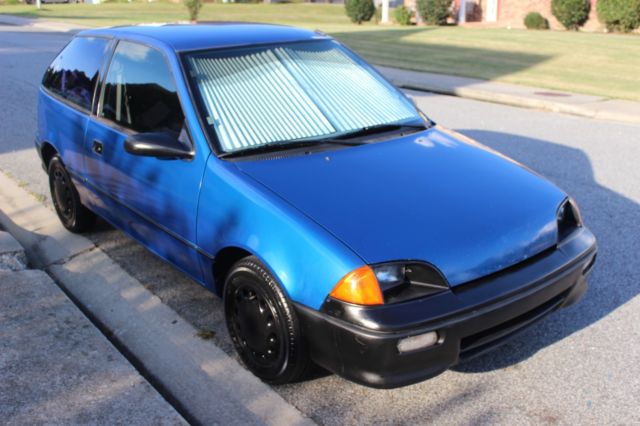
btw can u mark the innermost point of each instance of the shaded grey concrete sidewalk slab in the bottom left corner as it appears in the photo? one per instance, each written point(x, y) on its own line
point(55, 366)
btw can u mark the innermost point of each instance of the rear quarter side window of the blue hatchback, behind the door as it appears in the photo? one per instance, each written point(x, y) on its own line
point(74, 72)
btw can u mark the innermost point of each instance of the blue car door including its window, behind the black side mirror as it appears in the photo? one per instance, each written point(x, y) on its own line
point(154, 200)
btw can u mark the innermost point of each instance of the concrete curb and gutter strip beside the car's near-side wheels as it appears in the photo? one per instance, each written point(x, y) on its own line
point(206, 385)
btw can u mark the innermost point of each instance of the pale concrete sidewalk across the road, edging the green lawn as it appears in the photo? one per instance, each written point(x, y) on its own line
point(471, 88)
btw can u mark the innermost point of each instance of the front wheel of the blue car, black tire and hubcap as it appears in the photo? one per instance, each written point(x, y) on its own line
point(263, 325)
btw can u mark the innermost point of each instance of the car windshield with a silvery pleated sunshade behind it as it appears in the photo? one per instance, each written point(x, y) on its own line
point(278, 94)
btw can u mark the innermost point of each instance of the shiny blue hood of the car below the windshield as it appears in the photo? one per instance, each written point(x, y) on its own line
point(434, 196)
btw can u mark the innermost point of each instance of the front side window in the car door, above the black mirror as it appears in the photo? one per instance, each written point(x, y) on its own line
point(139, 92)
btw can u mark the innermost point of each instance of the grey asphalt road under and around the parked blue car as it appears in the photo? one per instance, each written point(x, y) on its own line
point(578, 366)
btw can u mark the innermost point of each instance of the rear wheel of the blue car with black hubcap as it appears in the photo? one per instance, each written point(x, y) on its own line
point(64, 195)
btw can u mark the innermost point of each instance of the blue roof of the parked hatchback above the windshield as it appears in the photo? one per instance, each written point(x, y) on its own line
point(208, 35)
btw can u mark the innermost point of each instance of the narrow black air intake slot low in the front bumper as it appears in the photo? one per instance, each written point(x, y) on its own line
point(482, 341)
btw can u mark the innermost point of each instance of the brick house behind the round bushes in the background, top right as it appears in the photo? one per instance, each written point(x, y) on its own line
point(511, 13)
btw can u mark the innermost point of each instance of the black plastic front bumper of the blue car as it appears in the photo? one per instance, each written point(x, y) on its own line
point(361, 344)
